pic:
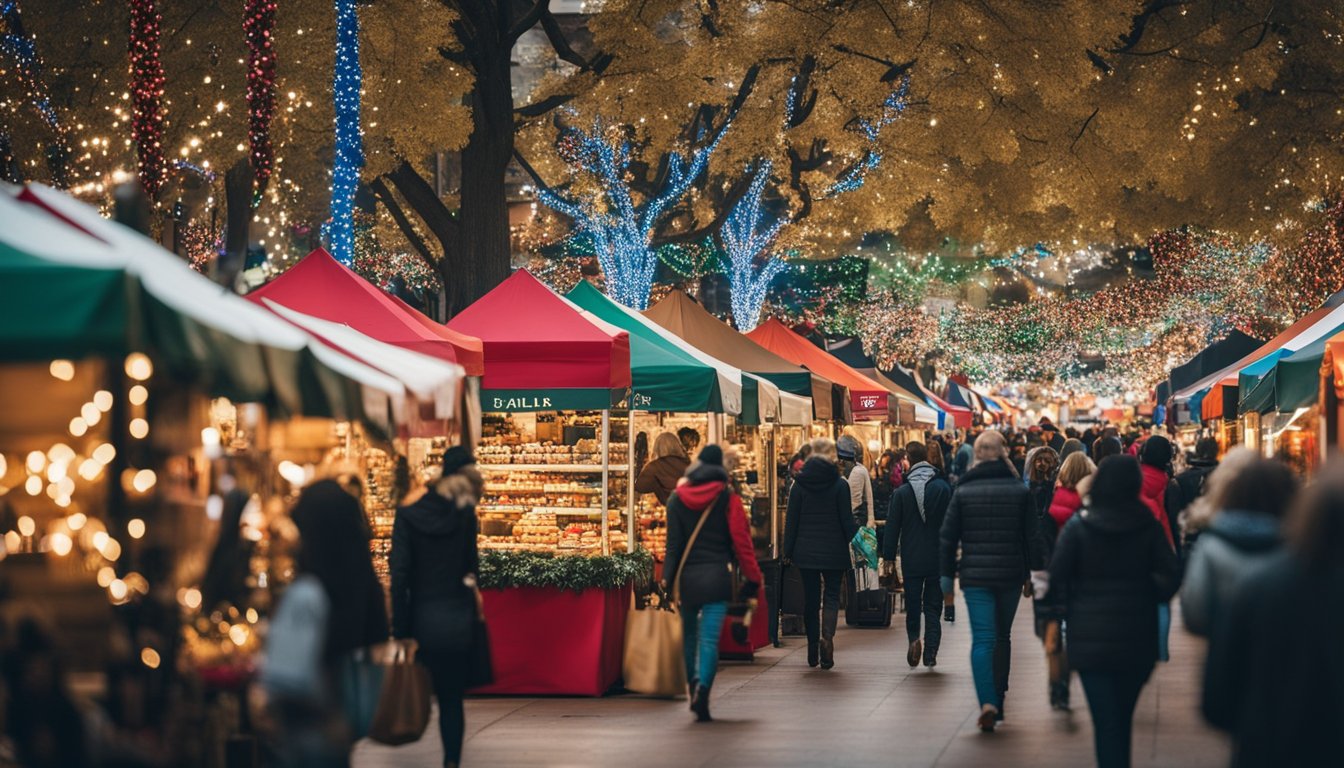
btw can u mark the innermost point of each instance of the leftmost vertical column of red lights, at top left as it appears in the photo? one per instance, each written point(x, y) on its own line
point(147, 92)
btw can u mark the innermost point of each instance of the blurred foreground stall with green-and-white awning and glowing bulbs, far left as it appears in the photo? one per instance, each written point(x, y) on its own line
point(120, 459)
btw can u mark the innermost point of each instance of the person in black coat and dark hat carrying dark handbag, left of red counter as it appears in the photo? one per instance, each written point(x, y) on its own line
point(433, 566)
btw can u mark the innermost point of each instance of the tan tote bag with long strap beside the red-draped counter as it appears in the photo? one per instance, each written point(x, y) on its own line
point(655, 662)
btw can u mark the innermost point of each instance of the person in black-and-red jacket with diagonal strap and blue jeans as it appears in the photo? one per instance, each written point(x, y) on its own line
point(704, 586)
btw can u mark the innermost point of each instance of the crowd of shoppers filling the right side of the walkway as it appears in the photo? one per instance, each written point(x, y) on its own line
point(1103, 531)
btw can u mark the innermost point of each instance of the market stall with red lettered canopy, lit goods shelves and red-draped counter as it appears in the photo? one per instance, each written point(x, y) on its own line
point(556, 462)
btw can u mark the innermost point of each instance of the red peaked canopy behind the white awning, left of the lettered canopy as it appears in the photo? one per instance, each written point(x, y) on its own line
point(322, 287)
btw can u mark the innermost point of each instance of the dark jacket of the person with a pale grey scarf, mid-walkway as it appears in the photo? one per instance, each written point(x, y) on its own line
point(915, 531)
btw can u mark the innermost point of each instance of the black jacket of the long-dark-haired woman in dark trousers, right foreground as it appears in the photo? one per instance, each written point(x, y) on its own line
point(1116, 568)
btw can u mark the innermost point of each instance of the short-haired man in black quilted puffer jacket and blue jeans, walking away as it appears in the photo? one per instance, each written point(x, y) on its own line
point(993, 521)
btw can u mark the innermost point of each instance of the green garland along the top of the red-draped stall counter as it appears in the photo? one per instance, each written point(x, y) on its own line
point(506, 570)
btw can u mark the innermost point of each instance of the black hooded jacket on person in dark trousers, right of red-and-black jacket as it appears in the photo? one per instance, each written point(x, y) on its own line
point(819, 524)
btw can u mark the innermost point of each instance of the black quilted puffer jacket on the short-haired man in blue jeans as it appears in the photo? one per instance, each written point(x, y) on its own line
point(994, 521)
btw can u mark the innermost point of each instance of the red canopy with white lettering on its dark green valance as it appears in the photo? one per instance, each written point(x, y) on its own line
point(544, 353)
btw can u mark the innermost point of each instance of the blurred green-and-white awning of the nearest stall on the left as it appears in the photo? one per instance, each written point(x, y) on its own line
point(76, 286)
